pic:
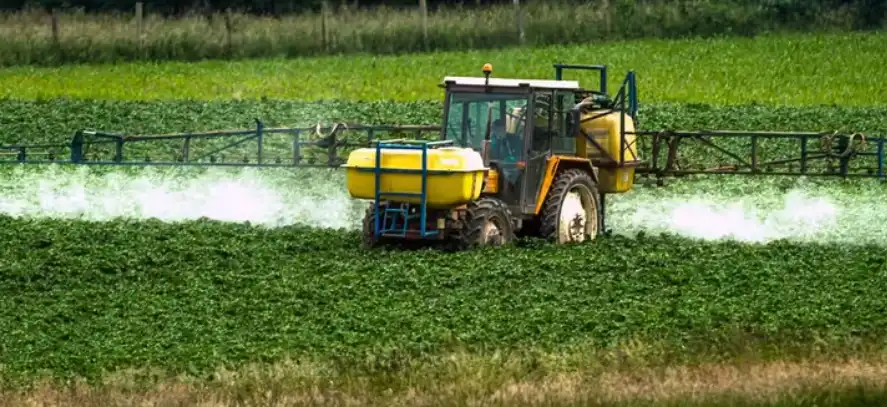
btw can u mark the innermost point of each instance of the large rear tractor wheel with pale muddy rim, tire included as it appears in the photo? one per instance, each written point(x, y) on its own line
point(571, 212)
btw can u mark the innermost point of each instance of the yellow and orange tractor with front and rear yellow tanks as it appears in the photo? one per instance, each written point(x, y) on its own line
point(515, 157)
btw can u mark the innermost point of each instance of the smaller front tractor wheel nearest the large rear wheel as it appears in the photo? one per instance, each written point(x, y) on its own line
point(488, 222)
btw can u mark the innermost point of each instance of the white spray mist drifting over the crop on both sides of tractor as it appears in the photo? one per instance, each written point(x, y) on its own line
point(741, 209)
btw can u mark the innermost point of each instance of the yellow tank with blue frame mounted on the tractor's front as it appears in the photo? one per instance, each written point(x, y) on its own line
point(455, 175)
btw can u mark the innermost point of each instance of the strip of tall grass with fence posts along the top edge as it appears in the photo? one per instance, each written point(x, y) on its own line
point(29, 37)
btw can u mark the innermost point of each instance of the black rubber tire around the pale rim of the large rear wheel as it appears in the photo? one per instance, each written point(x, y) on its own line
point(572, 180)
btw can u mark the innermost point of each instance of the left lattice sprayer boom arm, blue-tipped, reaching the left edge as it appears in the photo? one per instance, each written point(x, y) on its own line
point(317, 146)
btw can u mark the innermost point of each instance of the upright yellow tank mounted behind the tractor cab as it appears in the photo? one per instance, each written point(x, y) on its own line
point(616, 172)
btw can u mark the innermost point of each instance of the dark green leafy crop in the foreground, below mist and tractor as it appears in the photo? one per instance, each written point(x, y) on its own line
point(80, 297)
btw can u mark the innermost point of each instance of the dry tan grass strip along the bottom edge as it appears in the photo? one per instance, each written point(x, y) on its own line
point(291, 384)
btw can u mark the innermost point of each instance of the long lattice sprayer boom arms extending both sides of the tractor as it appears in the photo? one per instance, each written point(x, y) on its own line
point(666, 153)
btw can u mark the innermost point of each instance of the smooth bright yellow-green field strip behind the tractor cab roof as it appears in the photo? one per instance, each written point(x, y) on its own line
point(837, 69)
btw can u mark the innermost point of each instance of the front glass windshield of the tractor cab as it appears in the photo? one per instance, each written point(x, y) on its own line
point(469, 114)
